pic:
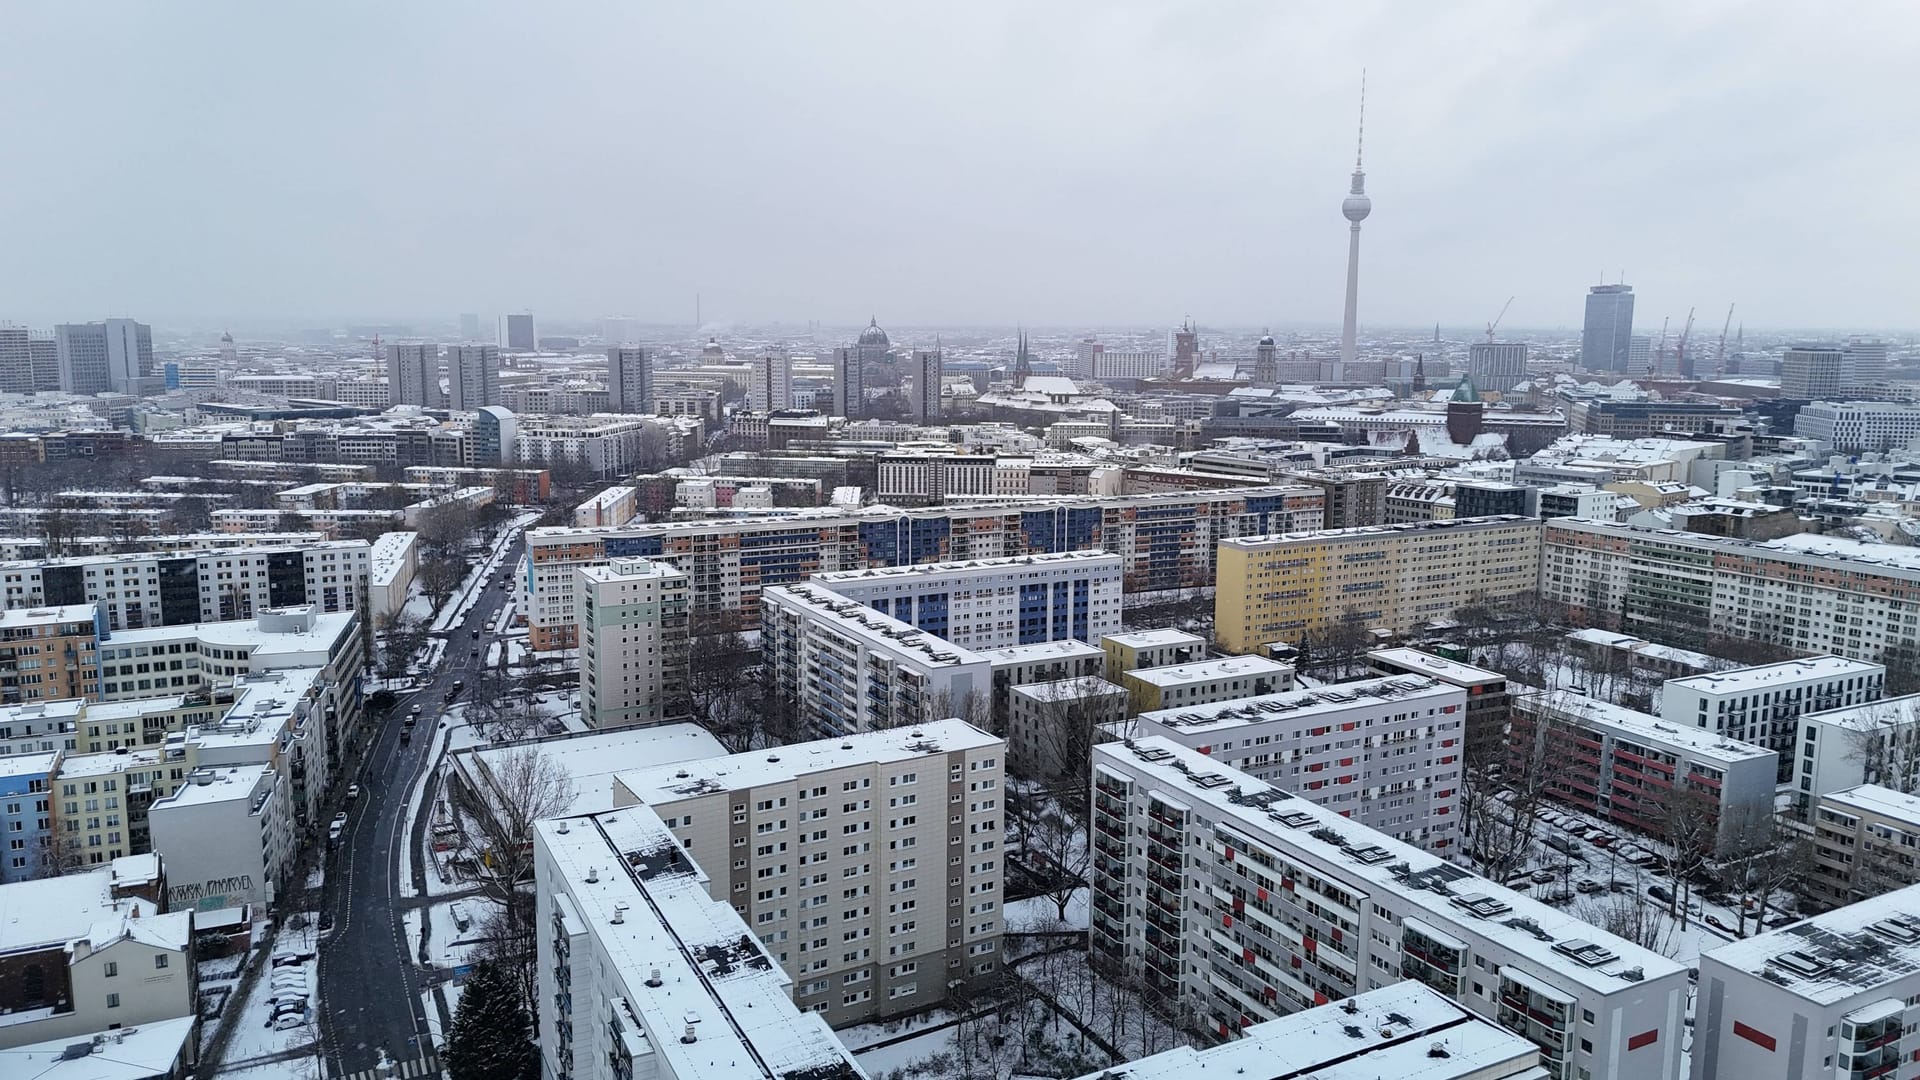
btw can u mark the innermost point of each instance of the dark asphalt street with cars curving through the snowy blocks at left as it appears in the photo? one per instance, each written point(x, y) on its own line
point(372, 979)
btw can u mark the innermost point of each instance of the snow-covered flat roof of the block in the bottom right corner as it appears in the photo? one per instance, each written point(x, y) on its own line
point(1840, 954)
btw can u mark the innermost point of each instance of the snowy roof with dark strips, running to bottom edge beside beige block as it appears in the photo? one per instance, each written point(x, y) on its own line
point(715, 973)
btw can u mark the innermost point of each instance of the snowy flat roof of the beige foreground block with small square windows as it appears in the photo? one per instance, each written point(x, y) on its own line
point(736, 772)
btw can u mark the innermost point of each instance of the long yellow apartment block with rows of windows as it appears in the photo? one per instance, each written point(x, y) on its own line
point(1397, 577)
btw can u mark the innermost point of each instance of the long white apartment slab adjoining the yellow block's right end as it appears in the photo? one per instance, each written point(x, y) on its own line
point(1813, 595)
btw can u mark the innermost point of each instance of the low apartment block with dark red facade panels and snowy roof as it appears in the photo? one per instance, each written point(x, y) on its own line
point(1643, 772)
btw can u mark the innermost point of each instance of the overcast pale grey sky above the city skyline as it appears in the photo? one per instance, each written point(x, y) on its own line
point(1105, 164)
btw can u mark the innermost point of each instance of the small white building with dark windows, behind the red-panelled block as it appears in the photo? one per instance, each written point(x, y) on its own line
point(1764, 704)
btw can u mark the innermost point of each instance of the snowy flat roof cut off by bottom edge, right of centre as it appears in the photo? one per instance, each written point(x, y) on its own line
point(1374, 1035)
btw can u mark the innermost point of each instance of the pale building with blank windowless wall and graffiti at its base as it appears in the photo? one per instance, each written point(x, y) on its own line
point(228, 835)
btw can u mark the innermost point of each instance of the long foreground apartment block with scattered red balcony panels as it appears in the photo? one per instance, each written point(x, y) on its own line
point(1253, 904)
